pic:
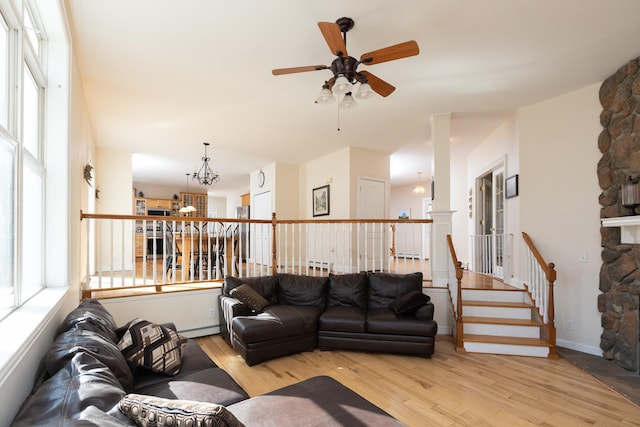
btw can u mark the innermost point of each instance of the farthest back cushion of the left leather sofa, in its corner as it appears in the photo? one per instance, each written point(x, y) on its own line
point(90, 315)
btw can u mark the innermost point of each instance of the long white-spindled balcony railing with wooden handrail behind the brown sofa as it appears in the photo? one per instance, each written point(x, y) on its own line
point(126, 250)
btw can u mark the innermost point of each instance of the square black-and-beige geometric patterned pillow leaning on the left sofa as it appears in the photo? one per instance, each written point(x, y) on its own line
point(153, 346)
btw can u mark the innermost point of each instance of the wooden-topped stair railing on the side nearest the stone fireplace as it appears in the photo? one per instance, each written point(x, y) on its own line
point(540, 283)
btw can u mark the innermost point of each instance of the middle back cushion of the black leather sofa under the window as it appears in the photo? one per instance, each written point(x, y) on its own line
point(75, 341)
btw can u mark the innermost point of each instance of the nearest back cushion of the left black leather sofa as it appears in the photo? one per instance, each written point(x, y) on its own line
point(83, 392)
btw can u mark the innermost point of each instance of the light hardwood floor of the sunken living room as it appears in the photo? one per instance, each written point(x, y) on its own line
point(450, 389)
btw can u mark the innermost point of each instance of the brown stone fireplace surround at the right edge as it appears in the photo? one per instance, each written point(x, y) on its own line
point(619, 143)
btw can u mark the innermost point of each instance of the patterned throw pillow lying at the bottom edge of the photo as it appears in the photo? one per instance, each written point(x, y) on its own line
point(155, 411)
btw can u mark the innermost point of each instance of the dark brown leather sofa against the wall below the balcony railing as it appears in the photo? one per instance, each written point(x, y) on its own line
point(381, 312)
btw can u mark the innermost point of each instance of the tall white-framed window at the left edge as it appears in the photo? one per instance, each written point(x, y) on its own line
point(23, 94)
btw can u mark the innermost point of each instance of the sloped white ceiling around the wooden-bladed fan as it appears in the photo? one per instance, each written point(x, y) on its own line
point(163, 76)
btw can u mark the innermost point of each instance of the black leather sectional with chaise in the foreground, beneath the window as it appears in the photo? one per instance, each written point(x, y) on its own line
point(87, 381)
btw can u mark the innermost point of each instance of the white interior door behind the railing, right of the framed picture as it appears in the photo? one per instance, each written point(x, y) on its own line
point(373, 244)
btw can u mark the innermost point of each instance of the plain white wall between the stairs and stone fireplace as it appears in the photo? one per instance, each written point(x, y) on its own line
point(559, 206)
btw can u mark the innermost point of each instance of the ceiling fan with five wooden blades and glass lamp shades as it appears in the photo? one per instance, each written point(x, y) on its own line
point(345, 67)
